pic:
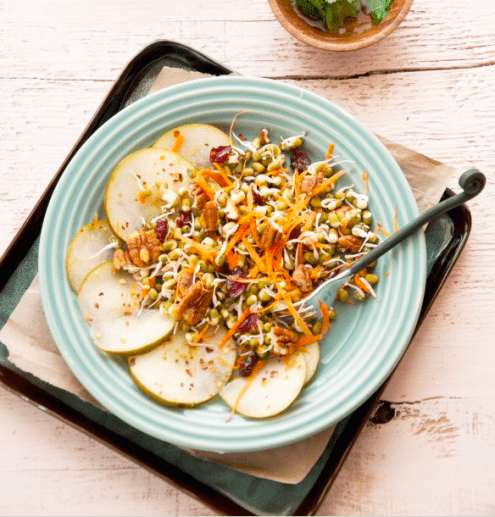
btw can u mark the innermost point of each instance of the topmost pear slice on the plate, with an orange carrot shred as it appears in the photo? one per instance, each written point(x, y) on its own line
point(199, 140)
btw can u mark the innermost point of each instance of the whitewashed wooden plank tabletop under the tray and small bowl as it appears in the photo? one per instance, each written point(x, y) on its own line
point(429, 86)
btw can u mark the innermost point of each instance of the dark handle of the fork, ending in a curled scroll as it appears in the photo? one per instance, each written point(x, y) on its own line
point(471, 181)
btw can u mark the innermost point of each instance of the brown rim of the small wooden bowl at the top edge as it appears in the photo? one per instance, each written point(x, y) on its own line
point(303, 31)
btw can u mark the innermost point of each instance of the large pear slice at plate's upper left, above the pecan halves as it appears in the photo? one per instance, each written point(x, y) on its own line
point(133, 193)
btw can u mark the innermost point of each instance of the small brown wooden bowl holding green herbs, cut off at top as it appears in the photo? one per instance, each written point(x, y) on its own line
point(359, 33)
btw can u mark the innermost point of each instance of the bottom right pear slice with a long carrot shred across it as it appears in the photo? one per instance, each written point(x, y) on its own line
point(271, 391)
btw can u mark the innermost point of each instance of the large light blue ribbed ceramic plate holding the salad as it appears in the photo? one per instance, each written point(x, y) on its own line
point(363, 345)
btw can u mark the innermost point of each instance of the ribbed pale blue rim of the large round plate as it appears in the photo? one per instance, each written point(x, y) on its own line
point(58, 302)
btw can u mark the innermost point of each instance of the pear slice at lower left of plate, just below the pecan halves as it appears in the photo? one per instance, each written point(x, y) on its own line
point(110, 304)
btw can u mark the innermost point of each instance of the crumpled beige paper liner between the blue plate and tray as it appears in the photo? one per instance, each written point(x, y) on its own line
point(32, 349)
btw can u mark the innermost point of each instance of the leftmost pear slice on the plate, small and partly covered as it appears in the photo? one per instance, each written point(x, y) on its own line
point(90, 247)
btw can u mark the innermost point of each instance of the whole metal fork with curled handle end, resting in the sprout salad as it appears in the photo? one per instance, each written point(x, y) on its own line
point(472, 183)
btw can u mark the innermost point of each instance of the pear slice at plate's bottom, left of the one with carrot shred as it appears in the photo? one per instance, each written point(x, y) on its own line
point(178, 374)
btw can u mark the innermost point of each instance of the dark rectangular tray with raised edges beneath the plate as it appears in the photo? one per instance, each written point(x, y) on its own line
point(221, 488)
